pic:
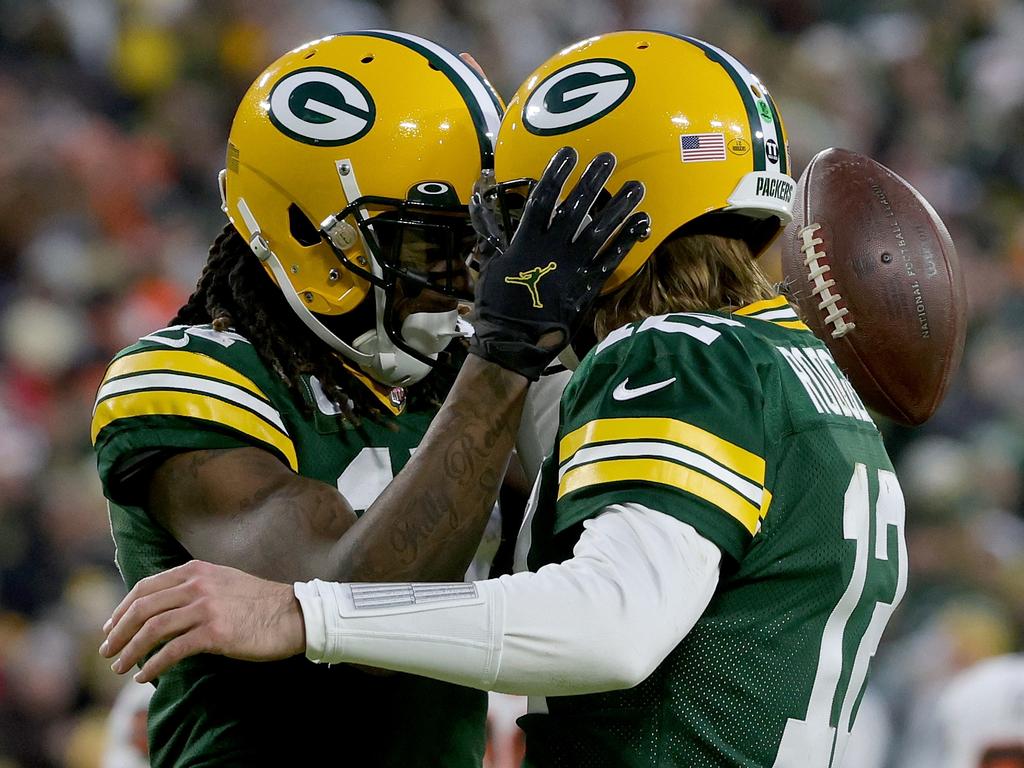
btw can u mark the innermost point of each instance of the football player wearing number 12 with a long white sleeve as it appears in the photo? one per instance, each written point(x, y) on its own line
point(716, 543)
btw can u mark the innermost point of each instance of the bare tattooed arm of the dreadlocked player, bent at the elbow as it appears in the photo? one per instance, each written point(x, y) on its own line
point(243, 507)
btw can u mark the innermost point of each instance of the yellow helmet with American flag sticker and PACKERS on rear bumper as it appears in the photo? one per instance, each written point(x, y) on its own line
point(686, 118)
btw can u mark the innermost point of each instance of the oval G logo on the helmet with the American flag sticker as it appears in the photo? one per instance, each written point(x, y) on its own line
point(577, 96)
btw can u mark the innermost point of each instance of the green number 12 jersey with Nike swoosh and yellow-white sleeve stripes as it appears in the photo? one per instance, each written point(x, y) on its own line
point(742, 426)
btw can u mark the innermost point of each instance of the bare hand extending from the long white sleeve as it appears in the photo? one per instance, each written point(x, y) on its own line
point(203, 609)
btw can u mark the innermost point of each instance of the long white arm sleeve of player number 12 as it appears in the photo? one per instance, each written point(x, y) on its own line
point(636, 584)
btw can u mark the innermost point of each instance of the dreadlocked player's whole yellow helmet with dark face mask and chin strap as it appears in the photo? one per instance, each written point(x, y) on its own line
point(351, 164)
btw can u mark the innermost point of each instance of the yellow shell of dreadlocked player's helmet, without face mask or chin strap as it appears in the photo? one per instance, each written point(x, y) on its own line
point(401, 113)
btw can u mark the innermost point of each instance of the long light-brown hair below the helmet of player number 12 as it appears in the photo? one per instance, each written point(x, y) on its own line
point(687, 274)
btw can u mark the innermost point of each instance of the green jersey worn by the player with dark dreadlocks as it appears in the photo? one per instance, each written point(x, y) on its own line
point(194, 389)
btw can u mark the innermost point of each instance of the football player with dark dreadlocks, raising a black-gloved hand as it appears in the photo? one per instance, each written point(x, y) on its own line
point(270, 428)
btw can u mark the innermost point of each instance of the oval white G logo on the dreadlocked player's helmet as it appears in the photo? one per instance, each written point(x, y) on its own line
point(322, 107)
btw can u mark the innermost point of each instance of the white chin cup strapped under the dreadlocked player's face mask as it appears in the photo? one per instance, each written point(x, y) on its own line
point(428, 333)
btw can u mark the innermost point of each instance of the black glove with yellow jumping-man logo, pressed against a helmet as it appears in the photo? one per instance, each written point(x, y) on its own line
point(534, 291)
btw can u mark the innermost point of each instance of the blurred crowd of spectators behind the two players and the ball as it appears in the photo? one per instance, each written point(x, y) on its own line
point(114, 116)
